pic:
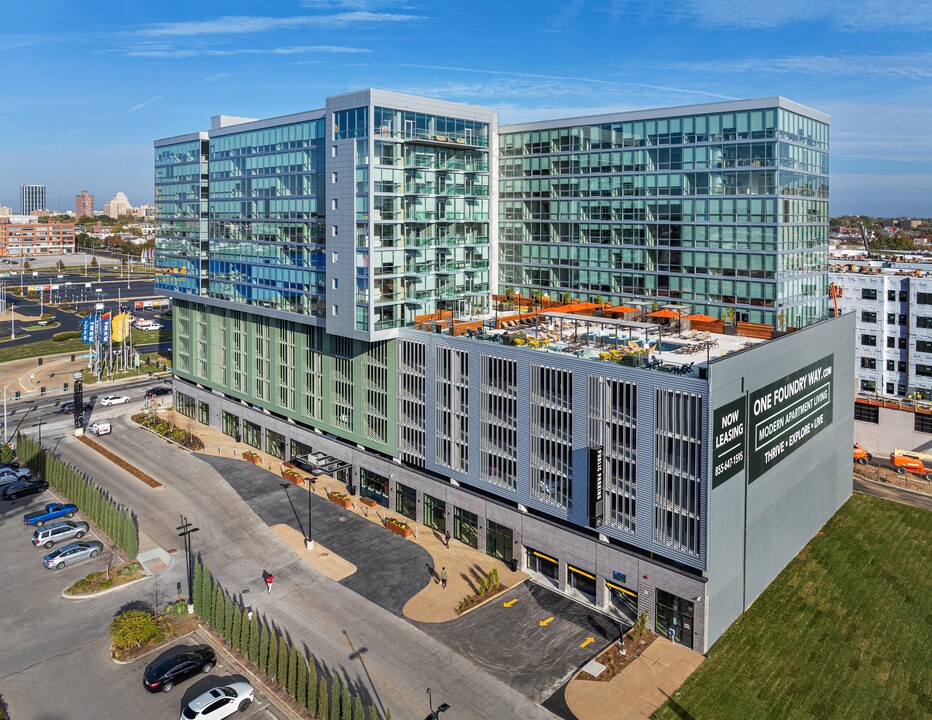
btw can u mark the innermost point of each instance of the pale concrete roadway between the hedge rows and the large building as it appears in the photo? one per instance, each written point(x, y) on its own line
point(390, 662)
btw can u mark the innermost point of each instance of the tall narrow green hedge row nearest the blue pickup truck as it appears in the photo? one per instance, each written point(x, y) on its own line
point(116, 520)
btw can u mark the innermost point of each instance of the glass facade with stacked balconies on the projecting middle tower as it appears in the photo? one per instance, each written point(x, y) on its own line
point(429, 211)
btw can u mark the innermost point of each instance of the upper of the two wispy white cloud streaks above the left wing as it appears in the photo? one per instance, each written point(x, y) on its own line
point(239, 24)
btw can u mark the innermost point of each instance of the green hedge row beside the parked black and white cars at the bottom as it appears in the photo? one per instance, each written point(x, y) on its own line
point(274, 654)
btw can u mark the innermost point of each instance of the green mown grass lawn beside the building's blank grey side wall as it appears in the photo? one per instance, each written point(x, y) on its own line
point(843, 632)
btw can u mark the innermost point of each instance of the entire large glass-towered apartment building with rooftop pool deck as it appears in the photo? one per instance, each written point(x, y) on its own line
point(332, 275)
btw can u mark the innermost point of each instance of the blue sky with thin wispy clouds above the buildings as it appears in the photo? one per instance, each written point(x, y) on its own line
point(89, 85)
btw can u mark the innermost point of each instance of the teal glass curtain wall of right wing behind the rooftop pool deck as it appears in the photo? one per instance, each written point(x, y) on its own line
point(719, 209)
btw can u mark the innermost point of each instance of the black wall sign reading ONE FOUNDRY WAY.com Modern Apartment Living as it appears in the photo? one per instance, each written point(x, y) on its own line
point(786, 414)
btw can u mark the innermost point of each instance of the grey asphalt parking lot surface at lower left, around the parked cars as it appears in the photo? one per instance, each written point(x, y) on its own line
point(55, 653)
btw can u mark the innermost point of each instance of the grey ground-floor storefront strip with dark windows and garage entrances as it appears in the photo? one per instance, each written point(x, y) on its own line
point(594, 573)
